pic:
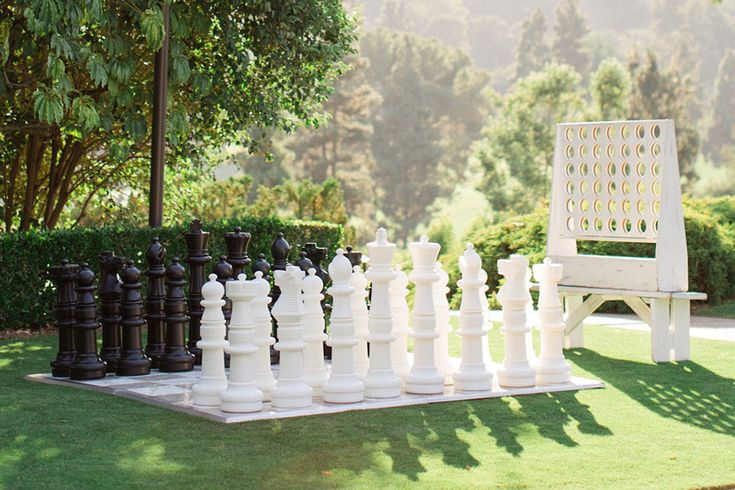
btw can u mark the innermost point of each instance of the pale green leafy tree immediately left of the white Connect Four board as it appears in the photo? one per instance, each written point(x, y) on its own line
point(517, 146)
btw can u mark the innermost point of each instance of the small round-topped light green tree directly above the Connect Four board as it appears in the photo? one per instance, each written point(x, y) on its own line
point(610, 88)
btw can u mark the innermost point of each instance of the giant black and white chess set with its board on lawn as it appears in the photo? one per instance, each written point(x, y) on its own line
point(258, 349)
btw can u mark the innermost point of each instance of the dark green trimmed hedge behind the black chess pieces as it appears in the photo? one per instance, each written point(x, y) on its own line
point(28, 295)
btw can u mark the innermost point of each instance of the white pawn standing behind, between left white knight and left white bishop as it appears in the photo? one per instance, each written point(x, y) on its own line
point(315, 372)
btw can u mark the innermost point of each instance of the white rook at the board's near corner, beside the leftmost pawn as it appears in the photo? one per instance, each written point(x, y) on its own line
point(241, 395)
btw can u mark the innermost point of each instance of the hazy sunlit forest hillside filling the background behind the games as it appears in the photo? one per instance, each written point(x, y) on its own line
point(447, 115)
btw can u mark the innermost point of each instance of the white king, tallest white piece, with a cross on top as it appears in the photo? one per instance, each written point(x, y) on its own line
point(381, 381)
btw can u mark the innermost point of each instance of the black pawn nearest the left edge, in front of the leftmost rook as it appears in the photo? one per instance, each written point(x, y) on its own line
point(87, 364)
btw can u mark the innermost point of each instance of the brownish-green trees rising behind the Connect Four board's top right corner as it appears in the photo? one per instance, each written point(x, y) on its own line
point(666, 95)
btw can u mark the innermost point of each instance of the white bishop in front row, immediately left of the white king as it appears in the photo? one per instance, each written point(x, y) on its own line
point(343, 385)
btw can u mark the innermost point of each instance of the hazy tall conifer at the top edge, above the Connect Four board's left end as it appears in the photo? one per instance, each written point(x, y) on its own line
point(570, 30)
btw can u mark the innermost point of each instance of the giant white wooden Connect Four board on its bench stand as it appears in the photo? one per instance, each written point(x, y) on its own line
point(619, 181)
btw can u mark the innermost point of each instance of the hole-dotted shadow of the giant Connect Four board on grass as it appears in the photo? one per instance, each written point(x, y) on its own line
point(684, 391)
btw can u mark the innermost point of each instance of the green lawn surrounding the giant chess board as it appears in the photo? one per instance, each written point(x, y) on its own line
point(654, 426)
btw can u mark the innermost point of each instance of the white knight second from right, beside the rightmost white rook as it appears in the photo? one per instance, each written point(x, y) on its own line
point(516, 371)
